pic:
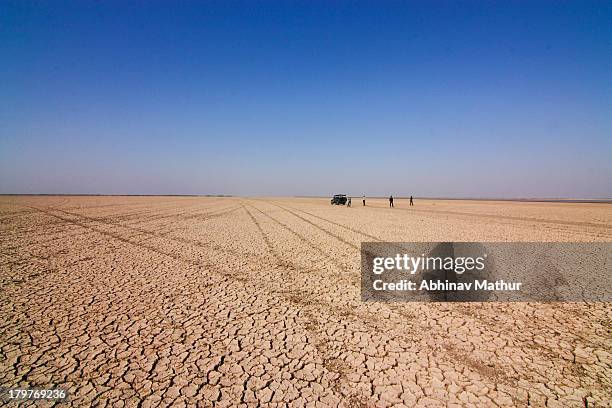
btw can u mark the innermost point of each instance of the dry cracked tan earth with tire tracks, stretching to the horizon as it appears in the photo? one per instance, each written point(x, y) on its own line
point(185, 301)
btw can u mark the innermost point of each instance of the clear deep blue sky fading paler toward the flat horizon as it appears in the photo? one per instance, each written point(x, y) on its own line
point(487, 99)
